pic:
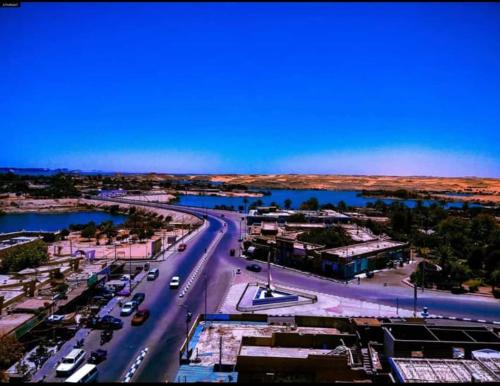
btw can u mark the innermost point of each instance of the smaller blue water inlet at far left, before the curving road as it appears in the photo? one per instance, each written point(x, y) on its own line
point(53, 221)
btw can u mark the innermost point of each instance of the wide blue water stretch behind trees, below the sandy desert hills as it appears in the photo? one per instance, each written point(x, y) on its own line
point(350, 197)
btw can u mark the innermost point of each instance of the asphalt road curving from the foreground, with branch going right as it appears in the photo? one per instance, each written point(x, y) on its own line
point(164, 332)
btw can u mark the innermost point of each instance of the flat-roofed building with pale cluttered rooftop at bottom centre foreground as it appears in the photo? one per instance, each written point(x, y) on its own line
point(258, 348)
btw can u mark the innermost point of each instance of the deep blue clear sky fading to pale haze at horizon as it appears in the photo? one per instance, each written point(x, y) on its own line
point(343, 88)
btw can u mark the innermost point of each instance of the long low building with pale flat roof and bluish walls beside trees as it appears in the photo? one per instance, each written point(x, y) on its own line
point(346, 262)
